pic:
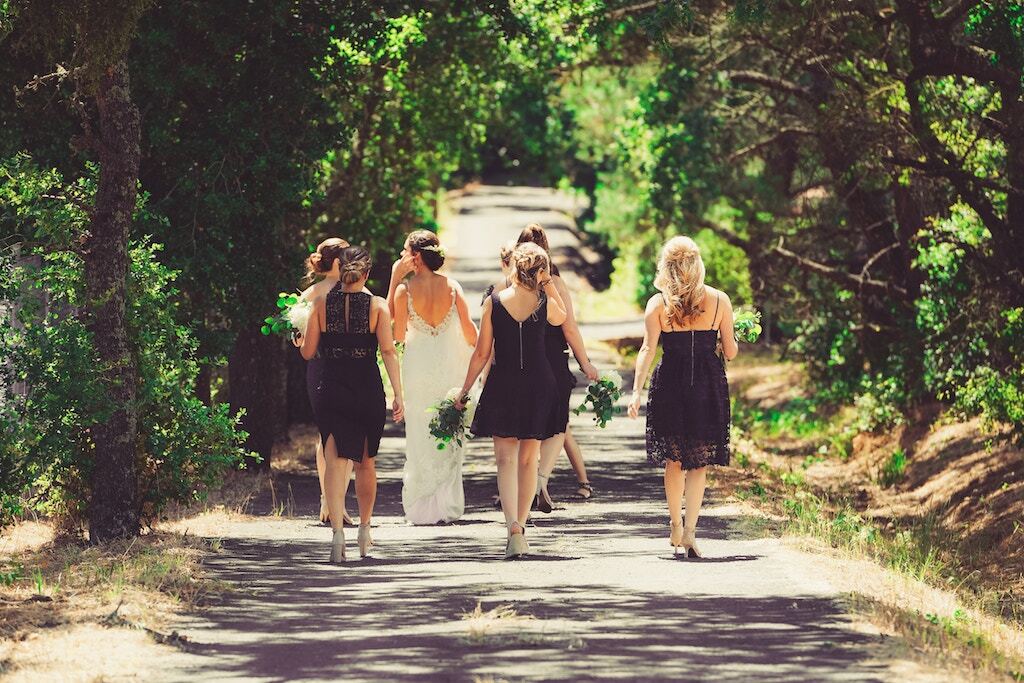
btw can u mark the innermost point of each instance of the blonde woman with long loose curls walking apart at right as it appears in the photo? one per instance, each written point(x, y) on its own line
point(689, 408)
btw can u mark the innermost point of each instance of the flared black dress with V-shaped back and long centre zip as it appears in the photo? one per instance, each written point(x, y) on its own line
point(520, 395)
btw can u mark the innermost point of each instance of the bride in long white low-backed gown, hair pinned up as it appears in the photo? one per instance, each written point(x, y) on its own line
point(433, 318)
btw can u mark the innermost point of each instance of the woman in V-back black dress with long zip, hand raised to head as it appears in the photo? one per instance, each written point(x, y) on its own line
point(519, 398)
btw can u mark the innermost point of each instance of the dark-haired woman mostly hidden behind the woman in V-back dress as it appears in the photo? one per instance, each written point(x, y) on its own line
point(559, 340)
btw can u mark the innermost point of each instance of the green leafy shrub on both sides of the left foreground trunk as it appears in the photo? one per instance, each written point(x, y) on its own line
point(51, 394)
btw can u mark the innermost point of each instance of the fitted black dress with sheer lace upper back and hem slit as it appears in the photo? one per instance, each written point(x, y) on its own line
point(347, 391)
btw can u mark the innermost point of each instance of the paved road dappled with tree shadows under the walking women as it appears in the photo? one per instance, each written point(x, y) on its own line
point(602, 599)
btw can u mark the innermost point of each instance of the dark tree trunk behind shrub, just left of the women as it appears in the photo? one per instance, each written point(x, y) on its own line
point(259, 383)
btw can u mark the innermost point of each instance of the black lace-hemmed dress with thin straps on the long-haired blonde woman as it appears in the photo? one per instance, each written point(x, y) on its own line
point(689, 412)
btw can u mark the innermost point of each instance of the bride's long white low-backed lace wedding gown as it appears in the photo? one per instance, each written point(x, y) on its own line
point(435, 362)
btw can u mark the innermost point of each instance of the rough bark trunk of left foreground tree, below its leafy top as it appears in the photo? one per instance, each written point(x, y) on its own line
point(114, 503)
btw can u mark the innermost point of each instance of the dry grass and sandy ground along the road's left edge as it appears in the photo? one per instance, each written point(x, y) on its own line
point(67, 608)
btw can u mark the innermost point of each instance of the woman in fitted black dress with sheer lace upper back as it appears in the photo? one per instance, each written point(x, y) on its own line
point(346, 330)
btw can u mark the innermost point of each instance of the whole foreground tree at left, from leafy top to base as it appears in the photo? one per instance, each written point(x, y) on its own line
point(89, 41)
